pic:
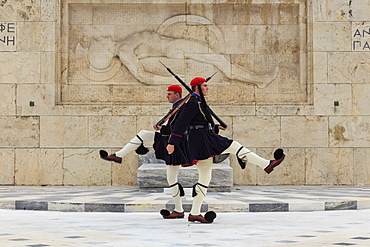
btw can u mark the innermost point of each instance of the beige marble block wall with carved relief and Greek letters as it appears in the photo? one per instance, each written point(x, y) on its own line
point(82, 75)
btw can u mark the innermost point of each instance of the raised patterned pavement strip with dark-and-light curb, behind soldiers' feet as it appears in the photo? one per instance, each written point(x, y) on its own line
point(131, 199)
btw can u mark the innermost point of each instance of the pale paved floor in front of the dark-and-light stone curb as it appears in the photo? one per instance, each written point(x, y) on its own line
point(315, 228)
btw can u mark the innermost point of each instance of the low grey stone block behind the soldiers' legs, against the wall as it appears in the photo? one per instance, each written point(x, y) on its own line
point(153, 177)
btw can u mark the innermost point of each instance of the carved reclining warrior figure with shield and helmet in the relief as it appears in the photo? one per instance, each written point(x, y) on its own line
point(98, 57)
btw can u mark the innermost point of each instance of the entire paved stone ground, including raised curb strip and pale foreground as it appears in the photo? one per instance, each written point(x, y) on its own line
point(125, 216)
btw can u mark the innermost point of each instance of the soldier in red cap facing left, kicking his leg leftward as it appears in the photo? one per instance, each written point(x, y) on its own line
point(159, 142)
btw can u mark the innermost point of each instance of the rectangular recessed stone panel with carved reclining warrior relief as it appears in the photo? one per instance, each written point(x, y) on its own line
point(259, 48)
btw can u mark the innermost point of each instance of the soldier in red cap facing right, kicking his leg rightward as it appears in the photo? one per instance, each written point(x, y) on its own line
point(204, 143)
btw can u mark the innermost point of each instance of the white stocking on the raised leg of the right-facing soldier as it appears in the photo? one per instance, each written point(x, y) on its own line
point(246, 155)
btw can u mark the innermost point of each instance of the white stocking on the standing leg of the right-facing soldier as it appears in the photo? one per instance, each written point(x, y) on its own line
point(204, 178)
